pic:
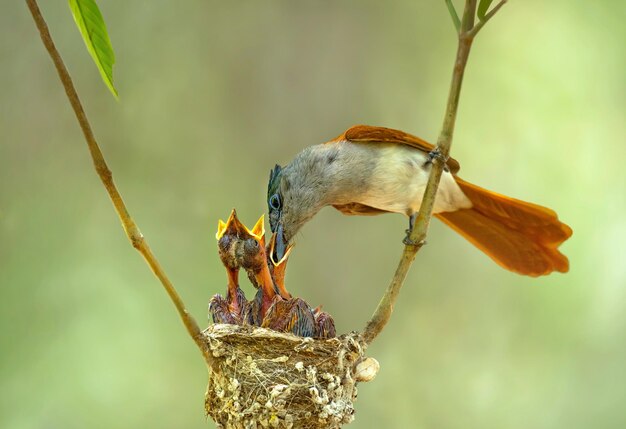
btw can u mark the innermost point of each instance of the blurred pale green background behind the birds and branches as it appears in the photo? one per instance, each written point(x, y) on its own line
point(212, 95)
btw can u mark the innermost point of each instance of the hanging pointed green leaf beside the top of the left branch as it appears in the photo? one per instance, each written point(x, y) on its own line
point(91, 25)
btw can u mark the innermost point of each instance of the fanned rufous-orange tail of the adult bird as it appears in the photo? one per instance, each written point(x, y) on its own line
point(521, 237)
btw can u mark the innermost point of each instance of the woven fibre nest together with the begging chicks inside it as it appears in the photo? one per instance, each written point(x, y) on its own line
point(275, 361)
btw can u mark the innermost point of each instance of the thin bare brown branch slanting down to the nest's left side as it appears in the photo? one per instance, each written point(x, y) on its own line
point(130, 228)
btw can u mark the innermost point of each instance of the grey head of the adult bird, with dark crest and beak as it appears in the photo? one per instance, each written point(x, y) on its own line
point(295, 193)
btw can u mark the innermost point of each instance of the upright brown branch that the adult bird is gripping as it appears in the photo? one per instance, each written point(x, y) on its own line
point(382, 314)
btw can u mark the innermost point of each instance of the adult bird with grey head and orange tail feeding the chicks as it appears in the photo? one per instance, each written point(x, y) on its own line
point(372, 170)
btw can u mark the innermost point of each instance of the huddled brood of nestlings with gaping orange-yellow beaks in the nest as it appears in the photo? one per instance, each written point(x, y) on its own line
point(273, 307)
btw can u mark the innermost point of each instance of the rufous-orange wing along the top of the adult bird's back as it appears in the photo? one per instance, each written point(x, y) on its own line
point(367, 133)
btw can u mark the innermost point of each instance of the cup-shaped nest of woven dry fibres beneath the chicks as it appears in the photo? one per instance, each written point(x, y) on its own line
point(260, 378)
